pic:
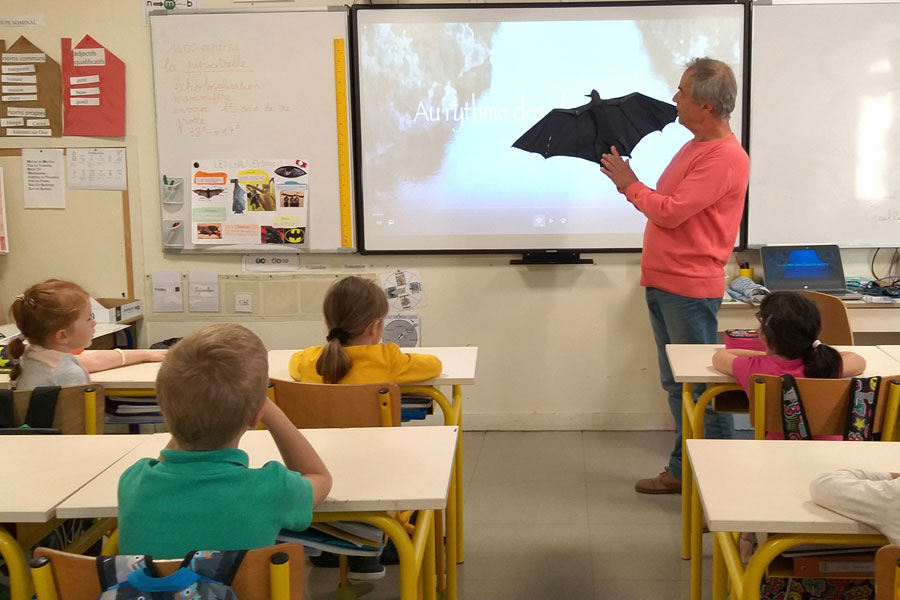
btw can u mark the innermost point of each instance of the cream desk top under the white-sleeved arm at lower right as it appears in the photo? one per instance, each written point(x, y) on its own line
point(749, 485)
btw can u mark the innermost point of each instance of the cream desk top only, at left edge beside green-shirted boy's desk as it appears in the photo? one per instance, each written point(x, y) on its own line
point(40, 471)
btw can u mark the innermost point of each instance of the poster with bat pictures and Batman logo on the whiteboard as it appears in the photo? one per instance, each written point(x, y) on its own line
point(249, 201)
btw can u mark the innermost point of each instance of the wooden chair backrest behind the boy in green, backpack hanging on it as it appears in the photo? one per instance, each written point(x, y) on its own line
point(75, 576)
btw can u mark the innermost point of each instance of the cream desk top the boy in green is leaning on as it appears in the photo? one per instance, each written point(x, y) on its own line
point(374, 469)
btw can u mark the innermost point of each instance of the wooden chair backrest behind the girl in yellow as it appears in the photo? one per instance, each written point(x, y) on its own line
point(321, 405)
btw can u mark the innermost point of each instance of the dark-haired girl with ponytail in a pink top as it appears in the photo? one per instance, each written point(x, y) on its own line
point(789, 327)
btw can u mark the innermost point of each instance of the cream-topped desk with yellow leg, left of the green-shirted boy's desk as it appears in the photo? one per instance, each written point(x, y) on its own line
point(38, 472)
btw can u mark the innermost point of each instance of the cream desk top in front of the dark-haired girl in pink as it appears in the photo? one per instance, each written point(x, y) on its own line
point(692, 363)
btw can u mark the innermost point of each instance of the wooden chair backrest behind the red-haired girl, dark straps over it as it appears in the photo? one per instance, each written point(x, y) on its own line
point(79, 409)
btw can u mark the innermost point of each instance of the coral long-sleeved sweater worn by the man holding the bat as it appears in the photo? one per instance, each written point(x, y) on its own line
point(693, 218)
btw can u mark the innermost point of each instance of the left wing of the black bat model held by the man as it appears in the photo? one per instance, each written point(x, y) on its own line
point(562, 132)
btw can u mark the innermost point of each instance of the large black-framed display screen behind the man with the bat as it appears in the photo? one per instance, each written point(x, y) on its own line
point(442, 92)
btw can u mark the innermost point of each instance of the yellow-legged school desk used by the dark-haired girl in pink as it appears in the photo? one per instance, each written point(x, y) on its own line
point(692, 363)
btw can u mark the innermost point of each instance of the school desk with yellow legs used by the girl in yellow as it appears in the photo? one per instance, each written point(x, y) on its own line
point(458, 369)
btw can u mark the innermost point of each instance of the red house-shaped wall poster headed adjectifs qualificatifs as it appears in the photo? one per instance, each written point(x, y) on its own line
point(93, 87)
